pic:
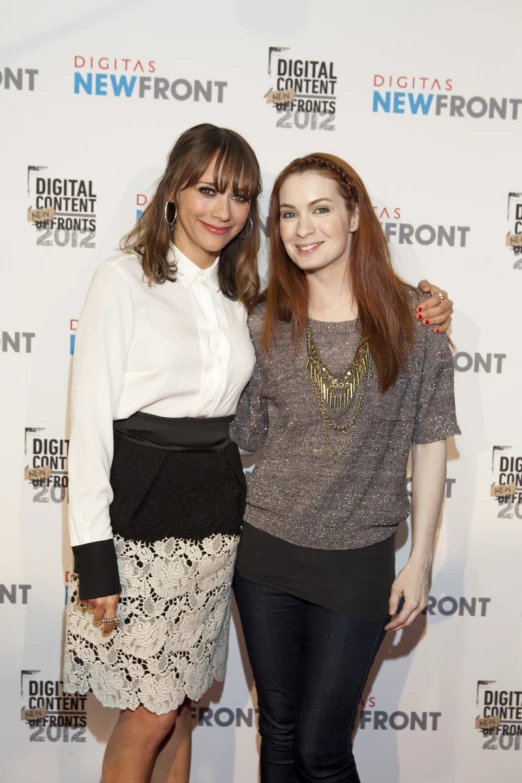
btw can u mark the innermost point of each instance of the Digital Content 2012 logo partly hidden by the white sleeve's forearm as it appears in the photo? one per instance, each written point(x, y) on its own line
point(46, 471)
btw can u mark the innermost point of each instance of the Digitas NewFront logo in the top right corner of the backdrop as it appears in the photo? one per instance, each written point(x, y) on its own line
point(435, 97)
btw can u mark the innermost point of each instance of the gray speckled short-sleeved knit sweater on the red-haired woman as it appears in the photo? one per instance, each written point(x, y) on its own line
point(300, 492)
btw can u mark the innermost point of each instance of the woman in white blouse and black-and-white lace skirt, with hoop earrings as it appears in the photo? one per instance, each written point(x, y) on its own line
point(157, 488)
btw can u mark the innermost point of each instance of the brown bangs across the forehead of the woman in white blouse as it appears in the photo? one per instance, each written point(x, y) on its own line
point(235, 167)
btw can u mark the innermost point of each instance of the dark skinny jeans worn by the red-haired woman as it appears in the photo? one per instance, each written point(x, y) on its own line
point(310, 665)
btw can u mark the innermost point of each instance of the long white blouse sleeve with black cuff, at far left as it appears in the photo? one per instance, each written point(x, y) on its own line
point(102, 342)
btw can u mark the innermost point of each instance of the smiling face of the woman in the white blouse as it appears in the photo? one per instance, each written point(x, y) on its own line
point(208, 220)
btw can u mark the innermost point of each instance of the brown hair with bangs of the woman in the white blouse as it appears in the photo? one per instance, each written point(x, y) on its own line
point(237, 166)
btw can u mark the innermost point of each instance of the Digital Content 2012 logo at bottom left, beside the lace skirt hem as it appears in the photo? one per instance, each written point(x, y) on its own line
point(51, 715)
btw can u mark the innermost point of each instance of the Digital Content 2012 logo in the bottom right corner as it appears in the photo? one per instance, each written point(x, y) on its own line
point(499, 717)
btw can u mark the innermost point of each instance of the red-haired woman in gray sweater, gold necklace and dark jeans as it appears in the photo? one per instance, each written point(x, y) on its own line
point(345, 383)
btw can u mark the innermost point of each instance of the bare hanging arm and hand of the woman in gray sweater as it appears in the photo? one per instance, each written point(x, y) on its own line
point(429, 481)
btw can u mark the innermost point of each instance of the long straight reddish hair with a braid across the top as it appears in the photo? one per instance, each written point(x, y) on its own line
point(384, 309)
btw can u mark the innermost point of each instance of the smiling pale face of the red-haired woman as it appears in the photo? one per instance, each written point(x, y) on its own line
point(315, 224)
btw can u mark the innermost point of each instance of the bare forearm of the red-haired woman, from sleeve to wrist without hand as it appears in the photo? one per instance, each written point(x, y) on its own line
point(428, 483)
